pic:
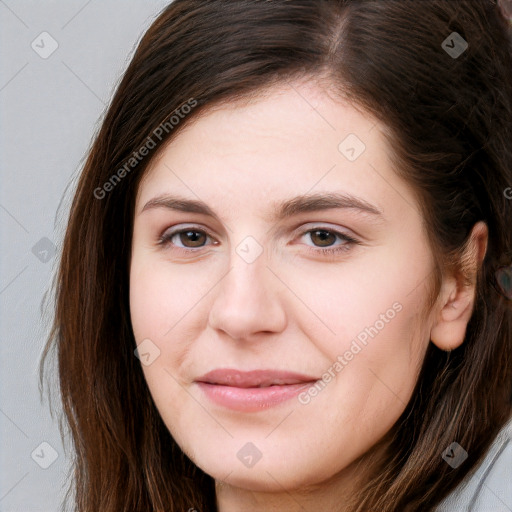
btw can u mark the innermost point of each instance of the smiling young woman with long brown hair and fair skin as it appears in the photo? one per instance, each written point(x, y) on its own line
point(285, 282)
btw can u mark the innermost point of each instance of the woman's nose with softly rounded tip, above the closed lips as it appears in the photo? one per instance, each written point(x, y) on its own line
point(248, 302)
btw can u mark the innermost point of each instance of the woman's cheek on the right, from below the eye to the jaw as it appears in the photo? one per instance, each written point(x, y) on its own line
point(370, 330)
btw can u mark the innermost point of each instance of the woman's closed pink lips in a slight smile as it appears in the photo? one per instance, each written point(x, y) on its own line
point(252, 391)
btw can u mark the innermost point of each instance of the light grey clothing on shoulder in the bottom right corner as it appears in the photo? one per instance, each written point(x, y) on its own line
point(489, 488)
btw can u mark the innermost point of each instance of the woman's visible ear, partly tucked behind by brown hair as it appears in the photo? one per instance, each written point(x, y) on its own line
point(457, 295)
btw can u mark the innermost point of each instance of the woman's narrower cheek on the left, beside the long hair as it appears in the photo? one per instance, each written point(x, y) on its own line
point(168, 306)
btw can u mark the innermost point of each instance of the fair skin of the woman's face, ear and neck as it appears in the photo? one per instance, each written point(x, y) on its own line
point(292, 308)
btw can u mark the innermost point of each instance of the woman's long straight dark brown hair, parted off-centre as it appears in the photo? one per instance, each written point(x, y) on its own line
point(449, 126)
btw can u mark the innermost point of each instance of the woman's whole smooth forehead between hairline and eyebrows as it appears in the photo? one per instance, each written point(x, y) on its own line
point(293, 140)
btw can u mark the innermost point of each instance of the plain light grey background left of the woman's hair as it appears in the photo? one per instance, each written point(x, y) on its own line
point(50, 109)
